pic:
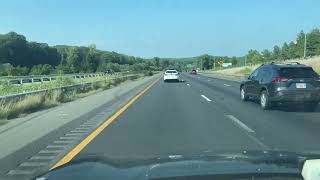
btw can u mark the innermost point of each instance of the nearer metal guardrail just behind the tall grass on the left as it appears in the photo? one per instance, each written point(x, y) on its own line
point(15, 97)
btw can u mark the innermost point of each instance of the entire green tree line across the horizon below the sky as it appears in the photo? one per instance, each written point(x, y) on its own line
point(20, 57)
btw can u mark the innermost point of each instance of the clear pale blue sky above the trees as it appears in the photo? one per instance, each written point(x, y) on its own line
point(164, 28)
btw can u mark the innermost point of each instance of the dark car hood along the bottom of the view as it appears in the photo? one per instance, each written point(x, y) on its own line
point(252, 162)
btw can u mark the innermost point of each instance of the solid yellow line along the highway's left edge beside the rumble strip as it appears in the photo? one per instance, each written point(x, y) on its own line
point(97, 131)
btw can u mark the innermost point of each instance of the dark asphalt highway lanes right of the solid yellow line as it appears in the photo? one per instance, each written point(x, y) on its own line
point(201, 114)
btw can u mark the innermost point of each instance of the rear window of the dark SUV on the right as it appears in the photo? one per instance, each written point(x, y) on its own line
point(305, 72)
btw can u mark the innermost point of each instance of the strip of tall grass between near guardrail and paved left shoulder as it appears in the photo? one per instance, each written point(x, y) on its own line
point(13, 109)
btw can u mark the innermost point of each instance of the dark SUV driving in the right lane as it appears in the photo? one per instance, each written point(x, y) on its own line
point(282, 83)
